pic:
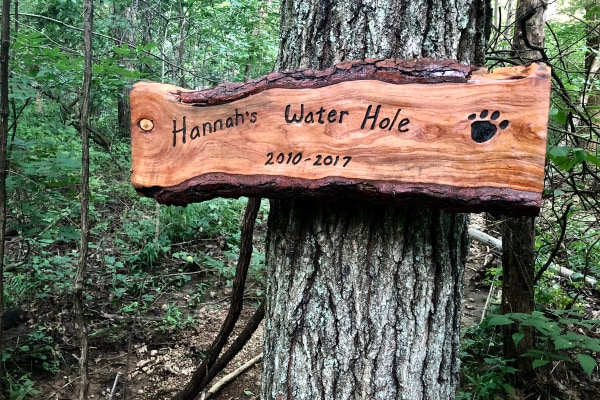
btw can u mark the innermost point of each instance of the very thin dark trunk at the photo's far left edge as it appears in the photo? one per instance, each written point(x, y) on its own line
point(4, 55)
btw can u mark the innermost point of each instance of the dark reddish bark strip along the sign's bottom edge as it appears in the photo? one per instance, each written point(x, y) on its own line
point(494, 200)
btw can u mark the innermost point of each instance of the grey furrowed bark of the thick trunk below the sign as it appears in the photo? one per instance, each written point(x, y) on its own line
point(363, 302)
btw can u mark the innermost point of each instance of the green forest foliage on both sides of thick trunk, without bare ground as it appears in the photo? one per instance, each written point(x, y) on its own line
point(151, 267)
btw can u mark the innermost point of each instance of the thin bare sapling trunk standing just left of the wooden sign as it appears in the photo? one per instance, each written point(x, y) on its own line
point(78, 286)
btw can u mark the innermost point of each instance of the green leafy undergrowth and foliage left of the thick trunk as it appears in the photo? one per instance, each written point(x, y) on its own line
point(139, 253)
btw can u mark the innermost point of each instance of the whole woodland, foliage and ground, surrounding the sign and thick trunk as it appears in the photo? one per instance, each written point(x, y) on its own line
point(152, 284)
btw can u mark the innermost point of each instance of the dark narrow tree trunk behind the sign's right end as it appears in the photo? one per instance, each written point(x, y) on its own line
point(518, 234)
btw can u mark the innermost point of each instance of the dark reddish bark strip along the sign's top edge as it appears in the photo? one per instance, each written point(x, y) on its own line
point(397, 71)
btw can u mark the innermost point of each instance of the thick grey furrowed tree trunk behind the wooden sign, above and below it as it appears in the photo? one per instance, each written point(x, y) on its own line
point(363, 301)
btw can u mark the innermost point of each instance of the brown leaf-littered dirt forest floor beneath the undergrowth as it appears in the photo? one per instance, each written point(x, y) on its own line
point(148, 361)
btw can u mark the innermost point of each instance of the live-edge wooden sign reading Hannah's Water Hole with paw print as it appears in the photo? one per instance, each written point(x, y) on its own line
point(451, 135)
